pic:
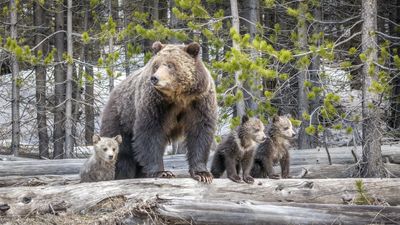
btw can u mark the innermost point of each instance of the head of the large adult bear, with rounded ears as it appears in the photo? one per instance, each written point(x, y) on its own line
point(173, 68)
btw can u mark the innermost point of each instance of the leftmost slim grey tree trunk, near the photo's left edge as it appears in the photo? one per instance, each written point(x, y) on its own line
point(15, 142)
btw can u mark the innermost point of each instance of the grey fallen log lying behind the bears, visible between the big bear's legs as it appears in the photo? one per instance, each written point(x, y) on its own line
point(54, 172)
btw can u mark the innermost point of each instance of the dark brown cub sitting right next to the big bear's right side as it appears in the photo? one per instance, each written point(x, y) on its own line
point(237, 150)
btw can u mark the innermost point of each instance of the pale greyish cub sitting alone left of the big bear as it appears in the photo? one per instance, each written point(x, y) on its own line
point(101, 165)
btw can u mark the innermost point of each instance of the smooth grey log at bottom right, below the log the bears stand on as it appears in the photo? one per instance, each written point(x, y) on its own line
point(178, 211)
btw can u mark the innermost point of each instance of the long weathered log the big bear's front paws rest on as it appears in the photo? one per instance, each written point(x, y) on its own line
point(82, 196)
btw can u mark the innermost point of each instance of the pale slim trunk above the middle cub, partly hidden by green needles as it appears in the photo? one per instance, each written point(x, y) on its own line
point(240, 106)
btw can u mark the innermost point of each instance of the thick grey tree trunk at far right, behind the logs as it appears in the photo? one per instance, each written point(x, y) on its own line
point(372, 165)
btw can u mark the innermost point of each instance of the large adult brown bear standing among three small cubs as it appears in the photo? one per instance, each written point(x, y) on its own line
point(172, 96)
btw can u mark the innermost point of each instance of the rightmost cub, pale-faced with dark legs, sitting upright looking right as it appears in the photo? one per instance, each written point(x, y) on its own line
point(274, 150)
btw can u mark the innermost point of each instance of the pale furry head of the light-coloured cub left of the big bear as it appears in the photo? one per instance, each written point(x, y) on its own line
point(106, 148)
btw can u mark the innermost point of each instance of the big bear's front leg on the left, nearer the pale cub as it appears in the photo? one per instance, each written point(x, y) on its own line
point(148, 144)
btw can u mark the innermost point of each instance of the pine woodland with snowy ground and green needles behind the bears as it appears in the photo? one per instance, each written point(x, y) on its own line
point(332, 64)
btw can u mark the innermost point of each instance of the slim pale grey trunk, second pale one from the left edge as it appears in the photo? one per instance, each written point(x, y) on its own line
point(69, 140)
